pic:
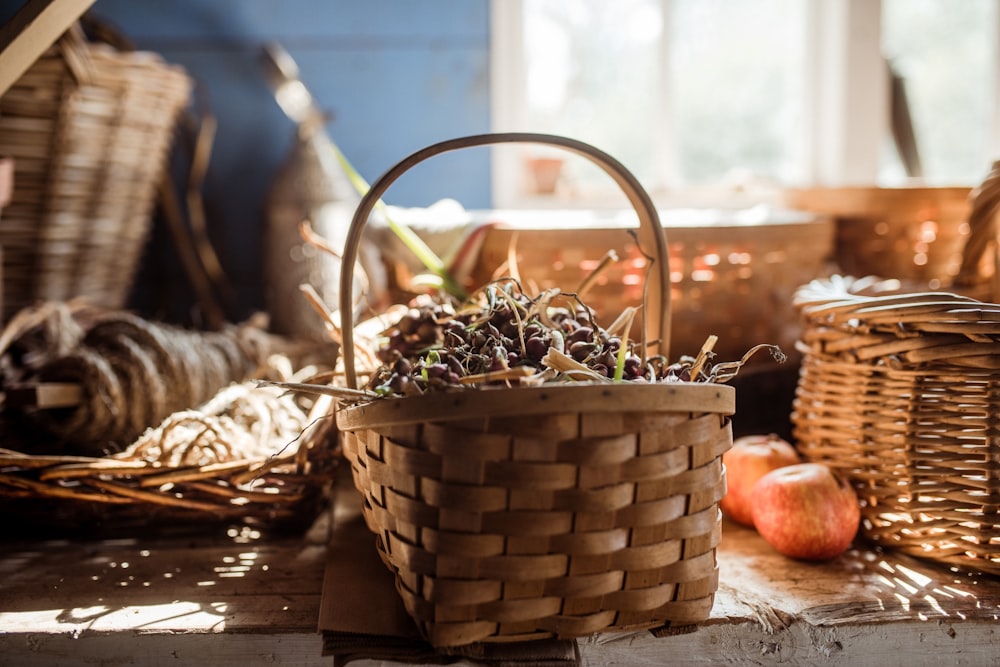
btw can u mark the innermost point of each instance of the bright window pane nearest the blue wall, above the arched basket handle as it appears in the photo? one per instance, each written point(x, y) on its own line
point(592, 71)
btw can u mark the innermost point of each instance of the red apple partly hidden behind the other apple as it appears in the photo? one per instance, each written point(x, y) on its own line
point(749, 459)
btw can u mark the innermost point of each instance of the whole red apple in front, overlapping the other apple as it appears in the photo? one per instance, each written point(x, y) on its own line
point(806, 511)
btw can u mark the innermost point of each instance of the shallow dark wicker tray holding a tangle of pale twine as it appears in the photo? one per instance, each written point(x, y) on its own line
point(186, 475)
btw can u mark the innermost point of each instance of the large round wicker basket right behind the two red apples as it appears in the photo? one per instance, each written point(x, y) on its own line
point(901, 394)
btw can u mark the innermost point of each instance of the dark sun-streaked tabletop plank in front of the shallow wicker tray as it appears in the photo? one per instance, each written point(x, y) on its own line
point(201, 584)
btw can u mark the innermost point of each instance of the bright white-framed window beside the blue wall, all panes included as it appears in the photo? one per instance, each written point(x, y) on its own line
point(710, 98)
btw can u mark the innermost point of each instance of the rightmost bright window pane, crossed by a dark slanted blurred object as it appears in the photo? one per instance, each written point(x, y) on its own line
point(946, 53)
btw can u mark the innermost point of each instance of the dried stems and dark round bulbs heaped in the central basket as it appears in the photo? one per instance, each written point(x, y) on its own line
point(502, 336)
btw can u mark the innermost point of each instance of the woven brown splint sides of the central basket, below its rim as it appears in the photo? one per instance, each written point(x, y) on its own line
point(559, 524)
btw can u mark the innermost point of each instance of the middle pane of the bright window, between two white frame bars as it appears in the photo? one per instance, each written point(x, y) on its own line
point(736, 73)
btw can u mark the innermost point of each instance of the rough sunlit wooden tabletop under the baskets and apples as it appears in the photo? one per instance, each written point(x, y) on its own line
point(243, 598)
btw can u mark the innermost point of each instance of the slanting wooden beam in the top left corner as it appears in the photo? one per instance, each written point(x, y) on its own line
point(35, 27)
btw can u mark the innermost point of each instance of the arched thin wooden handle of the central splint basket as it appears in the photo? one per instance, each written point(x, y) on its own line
point(651, 233)
